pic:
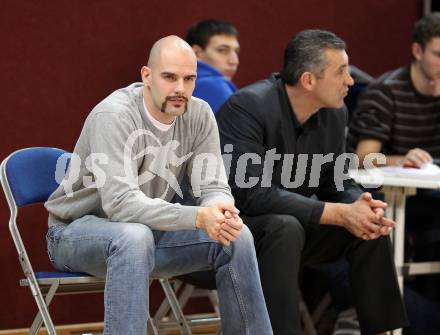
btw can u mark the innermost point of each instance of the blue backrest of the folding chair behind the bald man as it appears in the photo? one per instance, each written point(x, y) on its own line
point(28, 175)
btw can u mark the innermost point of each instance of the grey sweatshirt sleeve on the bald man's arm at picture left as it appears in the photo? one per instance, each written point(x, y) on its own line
point(122, 200)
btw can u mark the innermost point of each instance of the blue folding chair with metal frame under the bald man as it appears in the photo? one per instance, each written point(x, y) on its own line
point(28, 177)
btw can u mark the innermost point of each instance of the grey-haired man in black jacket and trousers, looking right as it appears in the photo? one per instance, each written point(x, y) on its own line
point(284, 138)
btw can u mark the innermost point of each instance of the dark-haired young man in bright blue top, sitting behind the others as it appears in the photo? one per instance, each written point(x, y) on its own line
point(216, 46)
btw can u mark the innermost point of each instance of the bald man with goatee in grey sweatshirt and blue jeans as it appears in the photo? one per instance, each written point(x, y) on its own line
point(111, 216)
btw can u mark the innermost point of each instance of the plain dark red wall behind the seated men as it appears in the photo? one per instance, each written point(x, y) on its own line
point(59, 58)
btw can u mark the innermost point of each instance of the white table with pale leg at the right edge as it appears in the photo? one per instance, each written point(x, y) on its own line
point(396, 188)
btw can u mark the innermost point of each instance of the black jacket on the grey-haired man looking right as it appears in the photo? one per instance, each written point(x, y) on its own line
point(259, 118)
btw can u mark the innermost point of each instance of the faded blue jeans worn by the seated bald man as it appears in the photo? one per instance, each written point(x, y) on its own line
point(127, 254)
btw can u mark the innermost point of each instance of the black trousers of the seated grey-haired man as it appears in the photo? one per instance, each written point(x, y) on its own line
point(283, 245)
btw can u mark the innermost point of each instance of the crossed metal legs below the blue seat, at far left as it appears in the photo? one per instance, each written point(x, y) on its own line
point(43, 309)
